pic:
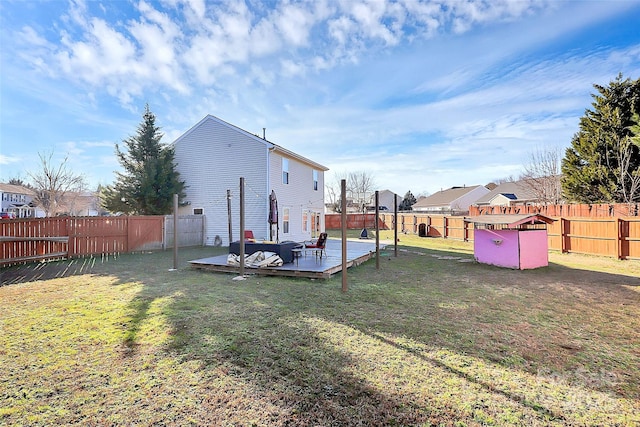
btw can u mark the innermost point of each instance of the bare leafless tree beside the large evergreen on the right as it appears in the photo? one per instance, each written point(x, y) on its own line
point(542, 175)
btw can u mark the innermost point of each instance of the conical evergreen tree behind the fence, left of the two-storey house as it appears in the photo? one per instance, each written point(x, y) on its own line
point(149, 180)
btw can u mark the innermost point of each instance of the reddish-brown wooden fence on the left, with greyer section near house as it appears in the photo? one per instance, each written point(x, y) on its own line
point(24, 240)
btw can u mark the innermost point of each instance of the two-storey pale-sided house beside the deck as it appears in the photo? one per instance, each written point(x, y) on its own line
point(213, 155)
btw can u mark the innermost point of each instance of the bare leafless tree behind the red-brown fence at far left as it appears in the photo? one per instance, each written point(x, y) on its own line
point(53, 183)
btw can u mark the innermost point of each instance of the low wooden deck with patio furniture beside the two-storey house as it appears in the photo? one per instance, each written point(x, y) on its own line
point(309, 265)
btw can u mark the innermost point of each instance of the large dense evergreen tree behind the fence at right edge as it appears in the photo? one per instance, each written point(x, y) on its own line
point(601, 156)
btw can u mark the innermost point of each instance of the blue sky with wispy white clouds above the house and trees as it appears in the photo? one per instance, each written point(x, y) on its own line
point(422, 95)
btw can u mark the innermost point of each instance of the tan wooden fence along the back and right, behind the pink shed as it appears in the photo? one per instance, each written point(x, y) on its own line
point(614, 236)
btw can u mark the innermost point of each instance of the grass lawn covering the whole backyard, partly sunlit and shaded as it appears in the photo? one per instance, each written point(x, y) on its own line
point(429, 339)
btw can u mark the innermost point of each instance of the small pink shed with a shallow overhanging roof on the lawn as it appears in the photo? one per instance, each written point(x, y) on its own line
point(512, 241)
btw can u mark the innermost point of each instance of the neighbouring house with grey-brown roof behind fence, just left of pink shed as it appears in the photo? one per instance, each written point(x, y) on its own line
point(453, 201)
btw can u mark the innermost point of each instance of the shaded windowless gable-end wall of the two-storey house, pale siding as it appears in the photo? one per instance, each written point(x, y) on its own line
point(211, 158)
